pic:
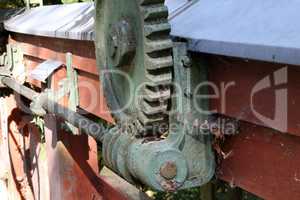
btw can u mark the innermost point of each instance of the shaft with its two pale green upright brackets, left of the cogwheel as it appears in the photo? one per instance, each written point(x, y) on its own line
point(12, 75)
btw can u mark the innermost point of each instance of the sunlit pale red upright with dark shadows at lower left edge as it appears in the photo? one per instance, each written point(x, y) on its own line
point(24, 178)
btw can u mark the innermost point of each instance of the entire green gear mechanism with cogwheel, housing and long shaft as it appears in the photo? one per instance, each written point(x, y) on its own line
point(134, 55)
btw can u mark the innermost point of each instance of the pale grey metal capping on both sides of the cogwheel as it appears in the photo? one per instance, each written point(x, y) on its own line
point(263, 30)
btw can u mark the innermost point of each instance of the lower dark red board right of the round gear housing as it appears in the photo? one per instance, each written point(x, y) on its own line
point(264, 162)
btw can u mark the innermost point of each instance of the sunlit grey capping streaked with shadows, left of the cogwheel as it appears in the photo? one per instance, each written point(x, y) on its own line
point(72, 21)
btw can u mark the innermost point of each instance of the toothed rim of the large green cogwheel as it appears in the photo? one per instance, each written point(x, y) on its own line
point(158, 62)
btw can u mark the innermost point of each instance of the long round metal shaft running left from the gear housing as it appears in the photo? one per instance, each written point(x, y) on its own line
point(86, 125)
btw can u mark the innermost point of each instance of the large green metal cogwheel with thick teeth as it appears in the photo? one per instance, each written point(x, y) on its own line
point(133, 42)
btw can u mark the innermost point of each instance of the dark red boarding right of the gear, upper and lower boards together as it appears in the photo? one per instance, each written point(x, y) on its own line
point(262, 161)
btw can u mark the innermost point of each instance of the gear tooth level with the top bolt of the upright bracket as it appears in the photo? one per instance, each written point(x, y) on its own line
point(158, 63)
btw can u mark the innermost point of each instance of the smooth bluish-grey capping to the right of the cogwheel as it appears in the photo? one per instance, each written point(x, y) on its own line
point(263, 30)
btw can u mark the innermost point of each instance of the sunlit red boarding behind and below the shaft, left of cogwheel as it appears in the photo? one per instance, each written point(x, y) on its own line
point(71, 162)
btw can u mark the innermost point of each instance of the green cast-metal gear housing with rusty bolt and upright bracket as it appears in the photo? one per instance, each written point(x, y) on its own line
point(185, 158)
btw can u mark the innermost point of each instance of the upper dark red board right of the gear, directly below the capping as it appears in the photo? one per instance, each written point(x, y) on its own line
point(240, 77)
